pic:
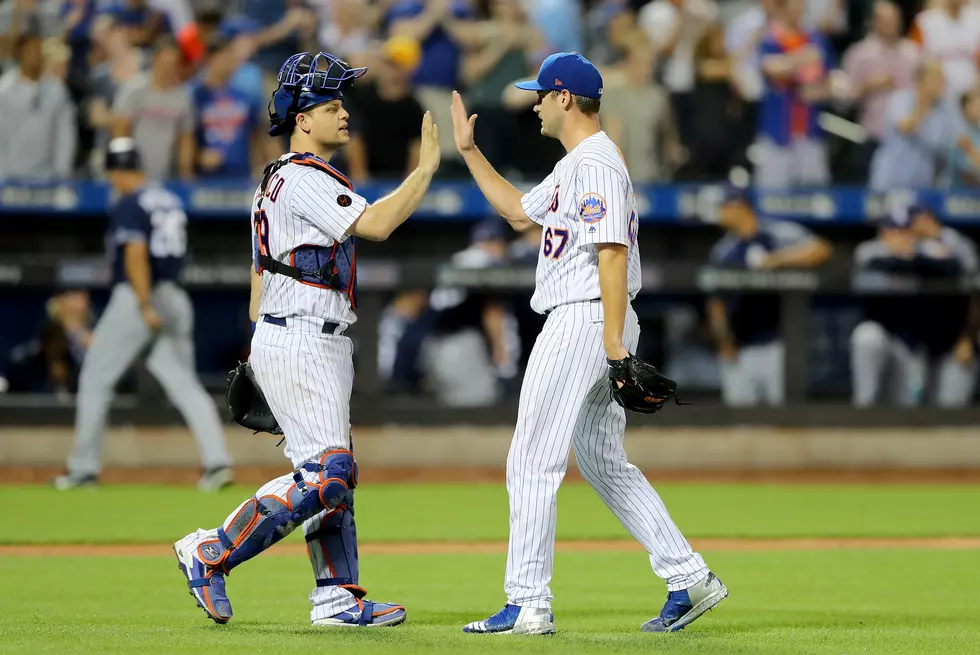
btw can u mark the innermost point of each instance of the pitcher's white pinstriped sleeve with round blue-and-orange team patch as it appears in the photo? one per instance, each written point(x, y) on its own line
point(603, 205)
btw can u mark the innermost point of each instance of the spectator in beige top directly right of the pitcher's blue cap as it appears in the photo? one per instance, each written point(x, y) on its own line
point(636, 112)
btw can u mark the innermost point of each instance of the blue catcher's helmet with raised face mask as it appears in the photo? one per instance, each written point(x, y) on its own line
point(307, 80)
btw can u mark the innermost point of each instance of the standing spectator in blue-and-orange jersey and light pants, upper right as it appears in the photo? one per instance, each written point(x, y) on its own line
point(792, 150)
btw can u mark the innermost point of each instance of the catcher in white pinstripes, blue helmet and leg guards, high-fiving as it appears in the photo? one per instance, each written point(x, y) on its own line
point(305, 217)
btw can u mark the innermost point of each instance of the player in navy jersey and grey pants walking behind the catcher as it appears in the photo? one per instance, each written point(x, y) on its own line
point(147, 241)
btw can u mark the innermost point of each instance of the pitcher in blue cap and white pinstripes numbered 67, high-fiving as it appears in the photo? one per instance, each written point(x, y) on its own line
point(588, 271)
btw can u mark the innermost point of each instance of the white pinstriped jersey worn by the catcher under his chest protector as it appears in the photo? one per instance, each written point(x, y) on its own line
point(303, 205)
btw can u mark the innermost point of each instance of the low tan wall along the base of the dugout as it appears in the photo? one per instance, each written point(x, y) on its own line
point(461, 447)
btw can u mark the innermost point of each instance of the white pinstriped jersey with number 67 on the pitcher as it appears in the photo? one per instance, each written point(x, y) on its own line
point(586, 200)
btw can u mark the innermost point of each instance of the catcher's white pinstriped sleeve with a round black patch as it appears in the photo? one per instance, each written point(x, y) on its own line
point(332, 208)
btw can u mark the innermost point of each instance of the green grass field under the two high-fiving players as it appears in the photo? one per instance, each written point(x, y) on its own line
point(811, 601)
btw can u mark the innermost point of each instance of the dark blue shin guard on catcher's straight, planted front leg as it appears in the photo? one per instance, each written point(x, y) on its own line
point(331, 543)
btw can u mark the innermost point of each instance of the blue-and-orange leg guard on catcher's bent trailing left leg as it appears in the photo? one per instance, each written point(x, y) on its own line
point(266, 518)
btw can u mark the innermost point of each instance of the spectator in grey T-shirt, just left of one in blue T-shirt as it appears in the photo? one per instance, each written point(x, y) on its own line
point(157, 111)
